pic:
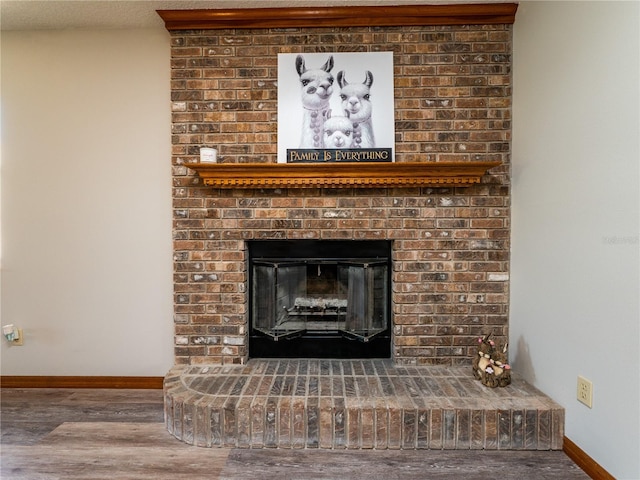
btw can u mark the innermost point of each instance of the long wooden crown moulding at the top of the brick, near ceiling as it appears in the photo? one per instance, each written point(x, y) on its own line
point(350, 16)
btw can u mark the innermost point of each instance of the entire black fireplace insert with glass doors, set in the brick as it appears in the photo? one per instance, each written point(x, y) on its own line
point(319, 299)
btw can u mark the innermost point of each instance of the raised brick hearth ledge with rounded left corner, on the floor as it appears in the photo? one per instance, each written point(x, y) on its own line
point(354, 404)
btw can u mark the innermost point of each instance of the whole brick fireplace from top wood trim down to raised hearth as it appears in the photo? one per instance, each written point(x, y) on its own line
point(449, 241)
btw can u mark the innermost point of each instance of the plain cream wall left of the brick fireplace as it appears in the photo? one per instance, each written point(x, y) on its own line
point(86, 202)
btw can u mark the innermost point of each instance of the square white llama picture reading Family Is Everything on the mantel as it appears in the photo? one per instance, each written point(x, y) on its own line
point(335, 107)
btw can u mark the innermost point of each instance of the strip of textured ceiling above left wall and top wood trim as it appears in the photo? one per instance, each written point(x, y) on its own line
point(55, 14)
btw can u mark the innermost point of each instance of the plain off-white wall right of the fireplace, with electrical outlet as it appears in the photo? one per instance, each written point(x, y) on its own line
point(575, 252)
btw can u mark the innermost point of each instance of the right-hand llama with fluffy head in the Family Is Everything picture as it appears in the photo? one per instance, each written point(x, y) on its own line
point(357, 103)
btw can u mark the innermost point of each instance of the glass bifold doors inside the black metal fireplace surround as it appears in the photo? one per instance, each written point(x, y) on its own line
point(320, 297)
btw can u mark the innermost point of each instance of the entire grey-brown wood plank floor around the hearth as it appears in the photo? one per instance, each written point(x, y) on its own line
point(72, 434)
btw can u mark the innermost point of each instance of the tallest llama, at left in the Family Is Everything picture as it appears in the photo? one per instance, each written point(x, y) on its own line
point(317, 87)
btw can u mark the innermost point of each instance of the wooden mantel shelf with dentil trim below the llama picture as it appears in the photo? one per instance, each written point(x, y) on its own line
point(341, 174)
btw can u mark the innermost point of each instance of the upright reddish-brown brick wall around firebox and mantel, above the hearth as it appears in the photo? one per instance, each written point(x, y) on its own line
point(450, 245)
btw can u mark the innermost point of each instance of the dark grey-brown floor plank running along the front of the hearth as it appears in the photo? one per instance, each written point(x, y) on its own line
point(391, 465)
